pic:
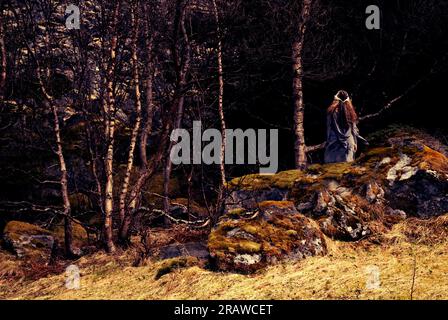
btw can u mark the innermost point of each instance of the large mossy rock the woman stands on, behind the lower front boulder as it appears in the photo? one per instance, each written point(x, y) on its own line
point(404, 173)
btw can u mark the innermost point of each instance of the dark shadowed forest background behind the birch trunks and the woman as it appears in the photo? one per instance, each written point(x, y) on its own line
point(405, 62)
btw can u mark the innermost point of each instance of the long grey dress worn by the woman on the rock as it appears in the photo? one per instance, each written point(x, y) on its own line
point(342, 137)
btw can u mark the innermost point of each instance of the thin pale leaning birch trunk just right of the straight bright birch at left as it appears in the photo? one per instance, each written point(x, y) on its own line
point(138, 107)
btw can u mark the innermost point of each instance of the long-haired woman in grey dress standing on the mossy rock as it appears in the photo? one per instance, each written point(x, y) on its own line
point(342, 130)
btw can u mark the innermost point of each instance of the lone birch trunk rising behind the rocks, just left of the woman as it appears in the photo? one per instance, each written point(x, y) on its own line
point(297, 65)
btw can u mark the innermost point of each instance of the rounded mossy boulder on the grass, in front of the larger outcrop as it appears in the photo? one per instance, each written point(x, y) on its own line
point(274, 232)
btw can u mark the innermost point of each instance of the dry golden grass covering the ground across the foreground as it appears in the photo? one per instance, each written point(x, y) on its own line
point(407, 267)
